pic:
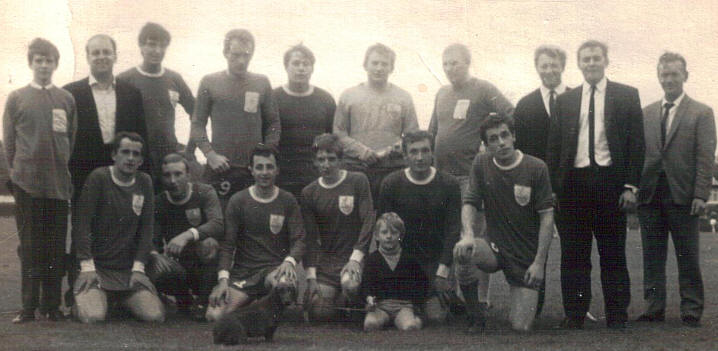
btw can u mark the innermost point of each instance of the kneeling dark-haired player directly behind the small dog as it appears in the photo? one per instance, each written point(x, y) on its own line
point(263, 242)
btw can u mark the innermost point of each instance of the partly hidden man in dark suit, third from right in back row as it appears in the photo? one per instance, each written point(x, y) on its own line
point(533, 110)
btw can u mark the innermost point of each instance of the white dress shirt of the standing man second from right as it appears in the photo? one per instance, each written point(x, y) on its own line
point(602, 154)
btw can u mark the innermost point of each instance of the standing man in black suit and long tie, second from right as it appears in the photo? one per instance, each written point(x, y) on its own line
point(595, 155)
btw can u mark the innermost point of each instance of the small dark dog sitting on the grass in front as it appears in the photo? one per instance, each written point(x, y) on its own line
point(260, 318)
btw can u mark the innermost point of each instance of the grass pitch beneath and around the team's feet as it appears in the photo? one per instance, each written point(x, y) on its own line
point(180, 334)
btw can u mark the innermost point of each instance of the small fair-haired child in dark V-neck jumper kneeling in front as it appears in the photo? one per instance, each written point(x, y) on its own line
point(393, 282)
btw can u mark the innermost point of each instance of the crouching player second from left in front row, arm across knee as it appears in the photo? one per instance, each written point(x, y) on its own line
point(188, 226)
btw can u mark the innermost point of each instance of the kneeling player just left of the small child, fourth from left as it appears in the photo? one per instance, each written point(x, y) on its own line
point(338, 215)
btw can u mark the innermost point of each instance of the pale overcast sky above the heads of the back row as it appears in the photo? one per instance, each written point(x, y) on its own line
point(501, 35)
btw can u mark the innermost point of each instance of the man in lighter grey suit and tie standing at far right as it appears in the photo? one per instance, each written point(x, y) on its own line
point(675, 184)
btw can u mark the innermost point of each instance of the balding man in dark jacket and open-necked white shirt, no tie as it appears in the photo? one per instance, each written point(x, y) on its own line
point(105, 106)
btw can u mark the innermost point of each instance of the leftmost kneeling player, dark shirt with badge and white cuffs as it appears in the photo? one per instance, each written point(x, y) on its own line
point(112, 235)
